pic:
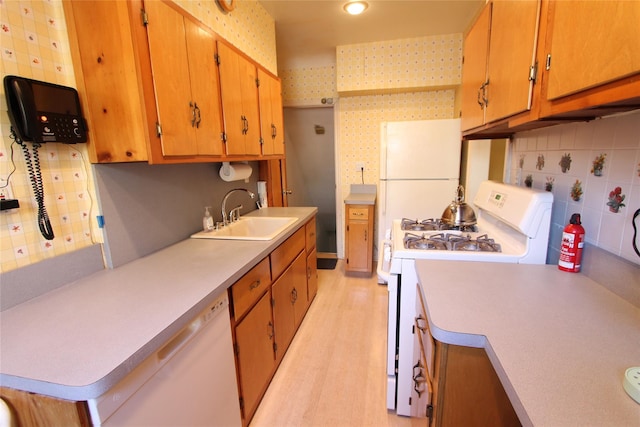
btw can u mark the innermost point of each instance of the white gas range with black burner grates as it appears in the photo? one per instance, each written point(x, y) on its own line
point(512, 227)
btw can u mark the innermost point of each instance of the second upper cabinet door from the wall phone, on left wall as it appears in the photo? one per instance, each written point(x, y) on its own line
point(205, 90)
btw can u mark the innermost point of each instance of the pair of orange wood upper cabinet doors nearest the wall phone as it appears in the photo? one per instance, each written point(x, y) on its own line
point(185, 82)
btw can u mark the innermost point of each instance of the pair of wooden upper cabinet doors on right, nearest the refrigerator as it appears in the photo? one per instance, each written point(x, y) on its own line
point(499, 53)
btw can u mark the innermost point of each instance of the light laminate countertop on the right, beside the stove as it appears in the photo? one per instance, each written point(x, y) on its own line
point(559, 342)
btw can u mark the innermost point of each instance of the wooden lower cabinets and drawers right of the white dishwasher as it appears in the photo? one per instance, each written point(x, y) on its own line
point(268, 304)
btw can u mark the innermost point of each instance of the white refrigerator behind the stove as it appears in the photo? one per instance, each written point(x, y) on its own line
point(419, 170)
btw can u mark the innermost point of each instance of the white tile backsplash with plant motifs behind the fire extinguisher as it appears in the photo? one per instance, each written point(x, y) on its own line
point(593, 169)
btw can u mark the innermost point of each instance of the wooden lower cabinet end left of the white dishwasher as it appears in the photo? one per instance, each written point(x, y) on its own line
point(30, 409)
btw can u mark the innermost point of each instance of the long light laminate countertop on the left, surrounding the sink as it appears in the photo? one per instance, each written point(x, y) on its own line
point(78, 341)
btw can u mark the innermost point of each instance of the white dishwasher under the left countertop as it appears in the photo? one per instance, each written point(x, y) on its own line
point(191, 381)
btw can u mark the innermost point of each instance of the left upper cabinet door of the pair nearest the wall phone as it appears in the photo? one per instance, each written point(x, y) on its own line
point(172, 83)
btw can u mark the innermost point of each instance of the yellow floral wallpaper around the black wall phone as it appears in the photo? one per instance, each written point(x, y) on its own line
point(34, 44)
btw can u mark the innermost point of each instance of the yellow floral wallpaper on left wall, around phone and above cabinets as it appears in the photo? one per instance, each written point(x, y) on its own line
point(34, 44)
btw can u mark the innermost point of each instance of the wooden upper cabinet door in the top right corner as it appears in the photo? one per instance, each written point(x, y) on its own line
point(593, 43)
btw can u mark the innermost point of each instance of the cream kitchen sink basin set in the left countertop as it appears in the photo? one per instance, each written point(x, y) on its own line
point(249, 228)
